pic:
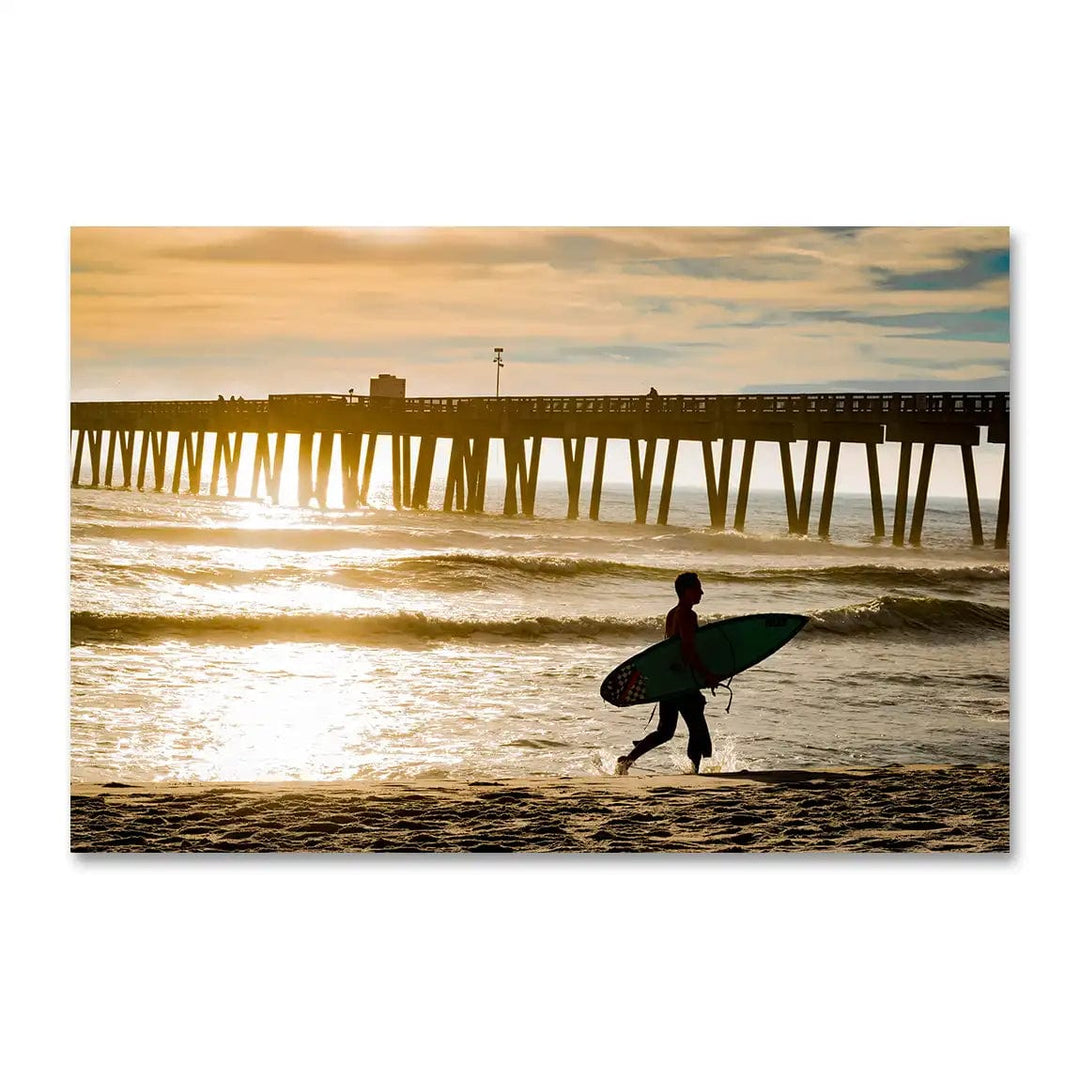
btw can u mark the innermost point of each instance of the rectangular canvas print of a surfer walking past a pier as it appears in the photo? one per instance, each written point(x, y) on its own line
point(539, 541)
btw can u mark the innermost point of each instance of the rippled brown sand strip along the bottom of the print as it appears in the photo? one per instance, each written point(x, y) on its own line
point(910, 808)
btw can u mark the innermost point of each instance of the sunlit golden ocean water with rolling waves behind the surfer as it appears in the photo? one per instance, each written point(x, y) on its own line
point(232, 640)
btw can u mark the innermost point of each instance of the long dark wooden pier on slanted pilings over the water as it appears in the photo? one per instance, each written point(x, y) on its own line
point(131, 443)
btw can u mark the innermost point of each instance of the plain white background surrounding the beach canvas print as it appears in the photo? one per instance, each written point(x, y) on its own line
point(561, 114)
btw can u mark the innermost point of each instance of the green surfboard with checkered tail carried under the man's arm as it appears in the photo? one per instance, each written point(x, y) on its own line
point(728, 646)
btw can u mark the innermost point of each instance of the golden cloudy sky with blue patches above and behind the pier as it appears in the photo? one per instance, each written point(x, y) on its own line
point(196, 313)
